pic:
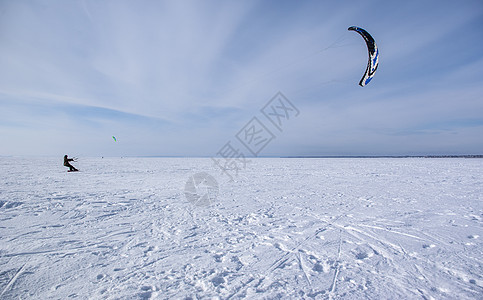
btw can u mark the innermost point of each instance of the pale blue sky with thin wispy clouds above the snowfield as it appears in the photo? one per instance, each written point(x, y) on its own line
point(181, 78)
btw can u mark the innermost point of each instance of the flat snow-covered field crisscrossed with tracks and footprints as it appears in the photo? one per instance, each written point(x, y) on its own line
point(286, 228)
